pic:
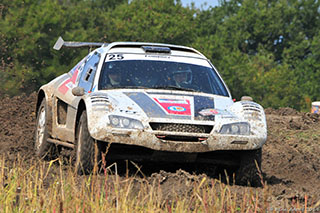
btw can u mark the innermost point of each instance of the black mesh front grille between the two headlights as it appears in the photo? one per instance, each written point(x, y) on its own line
point(190, 128)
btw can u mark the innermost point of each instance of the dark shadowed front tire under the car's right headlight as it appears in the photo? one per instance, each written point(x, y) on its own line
point(248, 172)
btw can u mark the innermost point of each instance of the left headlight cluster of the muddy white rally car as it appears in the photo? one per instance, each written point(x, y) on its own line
point(124, 122)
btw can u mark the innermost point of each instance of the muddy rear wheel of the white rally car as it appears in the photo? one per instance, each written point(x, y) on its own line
point(42, 147)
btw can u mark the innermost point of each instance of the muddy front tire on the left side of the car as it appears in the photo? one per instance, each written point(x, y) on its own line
point(87, 150)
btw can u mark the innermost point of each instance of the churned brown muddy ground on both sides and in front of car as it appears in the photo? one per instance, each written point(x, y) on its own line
point(290, 162)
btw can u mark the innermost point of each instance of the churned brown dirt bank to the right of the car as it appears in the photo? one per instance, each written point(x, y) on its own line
point(291, 160)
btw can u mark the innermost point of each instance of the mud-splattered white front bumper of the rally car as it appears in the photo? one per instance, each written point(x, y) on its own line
point(155, 140)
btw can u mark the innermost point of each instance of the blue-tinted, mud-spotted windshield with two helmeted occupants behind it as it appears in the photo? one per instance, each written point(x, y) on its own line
point(160, 75)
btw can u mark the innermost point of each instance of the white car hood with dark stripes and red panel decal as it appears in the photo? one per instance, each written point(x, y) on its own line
point(168, 104)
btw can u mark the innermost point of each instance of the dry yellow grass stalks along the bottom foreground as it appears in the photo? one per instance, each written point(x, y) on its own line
point(54, 187)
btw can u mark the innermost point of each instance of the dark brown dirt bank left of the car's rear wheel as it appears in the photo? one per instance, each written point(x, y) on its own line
point(17, 118)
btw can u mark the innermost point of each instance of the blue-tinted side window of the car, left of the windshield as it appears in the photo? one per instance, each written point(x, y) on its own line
point(89, 71)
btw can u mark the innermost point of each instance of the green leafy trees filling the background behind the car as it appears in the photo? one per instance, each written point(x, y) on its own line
point(268, 49)
